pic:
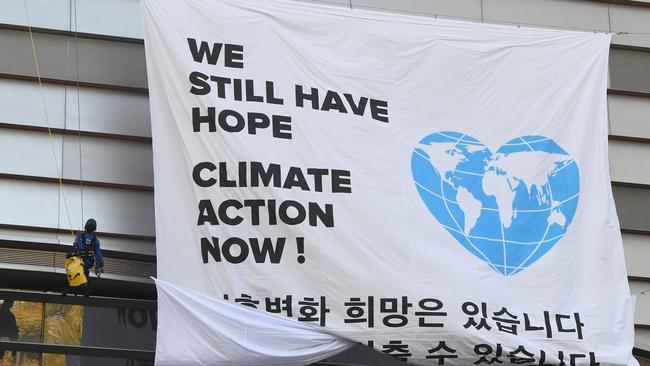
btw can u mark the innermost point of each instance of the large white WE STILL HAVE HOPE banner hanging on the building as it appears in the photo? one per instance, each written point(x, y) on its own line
point(327, 176)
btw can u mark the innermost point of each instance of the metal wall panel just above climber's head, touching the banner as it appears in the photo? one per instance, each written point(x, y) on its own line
point(116, 210)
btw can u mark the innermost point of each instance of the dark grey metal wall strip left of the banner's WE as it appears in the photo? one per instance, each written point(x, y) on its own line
point(100, 61)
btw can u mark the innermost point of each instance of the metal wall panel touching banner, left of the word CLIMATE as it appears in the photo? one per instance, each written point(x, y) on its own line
point(108, 160)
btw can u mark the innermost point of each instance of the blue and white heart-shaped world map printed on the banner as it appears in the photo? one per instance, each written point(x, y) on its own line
point(508, 209)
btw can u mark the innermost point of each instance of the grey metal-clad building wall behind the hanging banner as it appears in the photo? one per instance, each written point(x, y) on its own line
point(109, 105)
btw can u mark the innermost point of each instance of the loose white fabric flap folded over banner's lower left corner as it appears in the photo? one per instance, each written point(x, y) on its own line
point(207, 336)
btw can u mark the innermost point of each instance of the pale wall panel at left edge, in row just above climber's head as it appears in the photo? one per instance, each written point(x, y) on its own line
point(29, 203)
